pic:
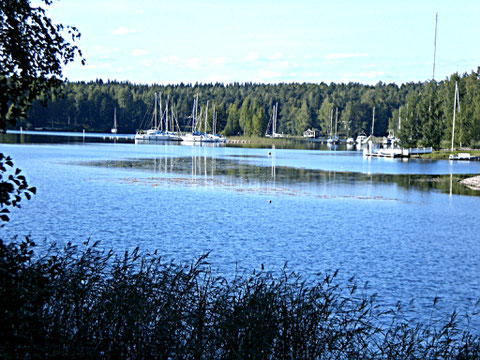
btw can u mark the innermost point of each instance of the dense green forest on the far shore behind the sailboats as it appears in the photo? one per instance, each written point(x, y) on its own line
point(420, 113)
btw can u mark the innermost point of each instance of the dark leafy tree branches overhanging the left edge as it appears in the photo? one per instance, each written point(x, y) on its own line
point(32, 53)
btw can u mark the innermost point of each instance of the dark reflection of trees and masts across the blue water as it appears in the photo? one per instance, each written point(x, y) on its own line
point(242, 171)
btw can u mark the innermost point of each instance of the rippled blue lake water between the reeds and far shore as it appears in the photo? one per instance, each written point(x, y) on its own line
point(405, 227)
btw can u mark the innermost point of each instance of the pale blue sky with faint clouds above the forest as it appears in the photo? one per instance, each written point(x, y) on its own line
point(266, 41)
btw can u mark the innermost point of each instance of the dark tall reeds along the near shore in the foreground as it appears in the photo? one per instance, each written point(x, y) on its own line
point(85, 302)
